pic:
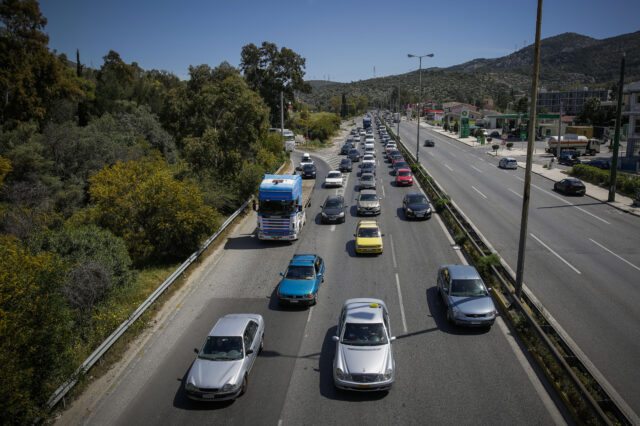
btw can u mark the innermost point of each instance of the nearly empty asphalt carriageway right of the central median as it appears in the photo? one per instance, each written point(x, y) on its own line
point(582, 258)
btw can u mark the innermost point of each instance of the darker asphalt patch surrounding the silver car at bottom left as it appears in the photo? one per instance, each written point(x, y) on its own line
point(162, 399)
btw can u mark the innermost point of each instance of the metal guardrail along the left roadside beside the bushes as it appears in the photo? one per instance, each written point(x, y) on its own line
point(62, 391)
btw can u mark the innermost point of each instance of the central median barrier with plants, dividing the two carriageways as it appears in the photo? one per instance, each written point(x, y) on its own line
point(595, 399)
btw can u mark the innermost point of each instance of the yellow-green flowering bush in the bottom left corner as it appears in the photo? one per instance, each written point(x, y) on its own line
point(35, 339)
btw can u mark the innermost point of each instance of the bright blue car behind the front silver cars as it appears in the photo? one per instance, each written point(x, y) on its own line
point(300, 282)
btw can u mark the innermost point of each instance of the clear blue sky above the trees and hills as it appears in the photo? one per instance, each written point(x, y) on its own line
point(341, 40)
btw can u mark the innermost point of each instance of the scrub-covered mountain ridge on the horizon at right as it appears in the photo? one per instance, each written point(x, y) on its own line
point(566, 60)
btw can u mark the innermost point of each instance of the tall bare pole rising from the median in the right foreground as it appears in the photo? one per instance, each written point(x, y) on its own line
point(527, 177)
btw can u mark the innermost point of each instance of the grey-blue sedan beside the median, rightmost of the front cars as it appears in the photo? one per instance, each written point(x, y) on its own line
point(465, 296)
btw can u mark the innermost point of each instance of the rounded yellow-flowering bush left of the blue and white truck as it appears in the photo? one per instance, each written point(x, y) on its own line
point(160, 218)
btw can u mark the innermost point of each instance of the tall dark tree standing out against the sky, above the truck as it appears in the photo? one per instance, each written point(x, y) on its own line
point(270, 71)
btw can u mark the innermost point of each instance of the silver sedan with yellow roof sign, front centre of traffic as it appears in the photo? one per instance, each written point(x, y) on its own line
point(363, 359)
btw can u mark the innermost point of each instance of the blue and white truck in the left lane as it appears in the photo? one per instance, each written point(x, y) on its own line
point(281, 212)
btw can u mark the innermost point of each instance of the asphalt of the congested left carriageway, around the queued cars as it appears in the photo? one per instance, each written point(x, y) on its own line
point(445, 375)
